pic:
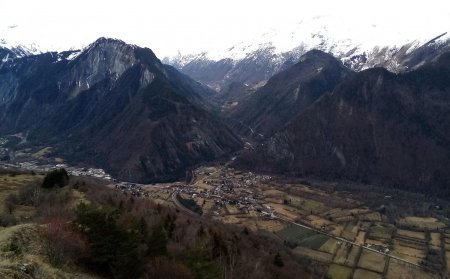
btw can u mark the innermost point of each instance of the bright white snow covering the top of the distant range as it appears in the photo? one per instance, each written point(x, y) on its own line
point(359, 44)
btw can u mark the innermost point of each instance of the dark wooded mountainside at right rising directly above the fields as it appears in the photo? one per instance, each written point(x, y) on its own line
point(375, 127)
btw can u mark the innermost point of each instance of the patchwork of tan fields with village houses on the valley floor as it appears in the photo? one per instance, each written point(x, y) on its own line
point(256, 201)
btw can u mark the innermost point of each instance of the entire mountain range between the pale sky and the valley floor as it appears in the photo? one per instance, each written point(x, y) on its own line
point(377, 116)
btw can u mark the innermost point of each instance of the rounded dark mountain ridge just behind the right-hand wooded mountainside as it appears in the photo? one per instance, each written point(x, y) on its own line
point(288, 93)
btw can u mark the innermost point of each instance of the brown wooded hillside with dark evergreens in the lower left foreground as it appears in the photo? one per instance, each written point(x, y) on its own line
point(89, 230)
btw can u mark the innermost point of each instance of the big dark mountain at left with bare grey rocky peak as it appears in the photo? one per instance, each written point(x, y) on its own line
point(115, 106)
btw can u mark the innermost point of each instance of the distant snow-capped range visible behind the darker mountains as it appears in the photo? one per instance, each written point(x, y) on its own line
point(241, 69)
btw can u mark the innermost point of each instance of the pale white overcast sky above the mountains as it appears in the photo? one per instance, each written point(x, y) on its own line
point(192, 25)
